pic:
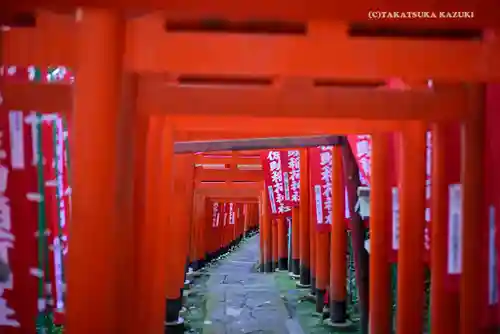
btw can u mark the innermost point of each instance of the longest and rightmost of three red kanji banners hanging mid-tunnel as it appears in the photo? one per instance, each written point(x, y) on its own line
point(320, 167)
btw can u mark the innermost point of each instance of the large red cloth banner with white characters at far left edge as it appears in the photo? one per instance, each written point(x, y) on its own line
point(19, 204)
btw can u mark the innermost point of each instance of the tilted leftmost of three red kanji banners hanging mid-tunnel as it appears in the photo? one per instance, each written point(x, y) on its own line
point(273, 179)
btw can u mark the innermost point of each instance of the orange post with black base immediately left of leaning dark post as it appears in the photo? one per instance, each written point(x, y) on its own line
point(338, 244)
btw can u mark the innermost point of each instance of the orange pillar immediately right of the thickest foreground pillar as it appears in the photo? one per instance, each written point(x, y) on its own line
point(153, 234)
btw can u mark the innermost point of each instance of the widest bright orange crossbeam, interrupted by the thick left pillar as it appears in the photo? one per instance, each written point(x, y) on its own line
point(150, 50)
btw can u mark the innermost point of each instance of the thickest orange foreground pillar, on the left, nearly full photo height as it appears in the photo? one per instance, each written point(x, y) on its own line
point(96, 228)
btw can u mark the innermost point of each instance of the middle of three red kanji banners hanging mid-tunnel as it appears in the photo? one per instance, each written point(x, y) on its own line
point(291, 176)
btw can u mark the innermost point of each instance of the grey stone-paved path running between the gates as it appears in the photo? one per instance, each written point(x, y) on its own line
point(236, 299)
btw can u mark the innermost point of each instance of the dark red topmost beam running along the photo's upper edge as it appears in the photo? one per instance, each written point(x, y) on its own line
point(485, 10)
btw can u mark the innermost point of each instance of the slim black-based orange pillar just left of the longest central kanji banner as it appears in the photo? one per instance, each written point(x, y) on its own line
point(305, 251)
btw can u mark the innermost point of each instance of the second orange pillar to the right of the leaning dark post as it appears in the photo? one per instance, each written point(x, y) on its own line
point(410, 294)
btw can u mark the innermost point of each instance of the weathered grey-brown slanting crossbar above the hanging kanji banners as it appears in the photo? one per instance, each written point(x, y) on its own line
point(258, 144)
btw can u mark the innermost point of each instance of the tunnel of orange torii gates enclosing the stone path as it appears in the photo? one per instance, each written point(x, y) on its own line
point(153, 89)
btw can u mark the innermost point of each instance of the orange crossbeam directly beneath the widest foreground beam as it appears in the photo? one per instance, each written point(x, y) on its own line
point(305, 100)
